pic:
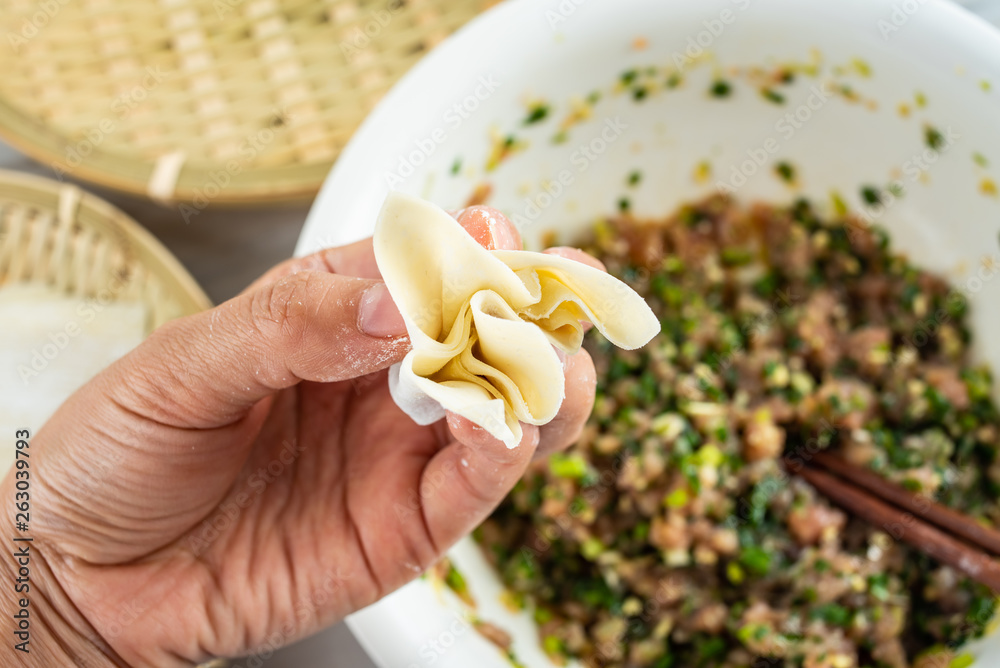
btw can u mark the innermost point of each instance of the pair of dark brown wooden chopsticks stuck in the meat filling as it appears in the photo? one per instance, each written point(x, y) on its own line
point(904, 523)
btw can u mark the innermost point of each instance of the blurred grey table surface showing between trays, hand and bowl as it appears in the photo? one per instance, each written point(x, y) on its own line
point(226, 250)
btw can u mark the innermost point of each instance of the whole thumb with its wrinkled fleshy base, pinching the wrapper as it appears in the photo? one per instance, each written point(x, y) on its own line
point(153, 443)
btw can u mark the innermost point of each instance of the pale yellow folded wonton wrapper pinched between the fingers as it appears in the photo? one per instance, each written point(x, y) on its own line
point(483, 323)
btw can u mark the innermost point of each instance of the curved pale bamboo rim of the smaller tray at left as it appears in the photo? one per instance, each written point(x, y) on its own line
point(95, 213)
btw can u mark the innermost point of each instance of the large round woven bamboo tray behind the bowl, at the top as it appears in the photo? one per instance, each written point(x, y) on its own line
point(205, 101)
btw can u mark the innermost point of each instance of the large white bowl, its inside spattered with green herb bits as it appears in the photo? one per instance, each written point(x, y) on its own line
point(558, 49)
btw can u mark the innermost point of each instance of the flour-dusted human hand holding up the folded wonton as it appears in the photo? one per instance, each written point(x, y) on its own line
point(243, 479)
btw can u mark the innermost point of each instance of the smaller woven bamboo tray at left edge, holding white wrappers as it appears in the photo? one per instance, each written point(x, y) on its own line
point(55, 234)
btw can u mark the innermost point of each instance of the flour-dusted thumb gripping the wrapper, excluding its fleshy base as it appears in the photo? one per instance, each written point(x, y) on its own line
point(208, 370)
